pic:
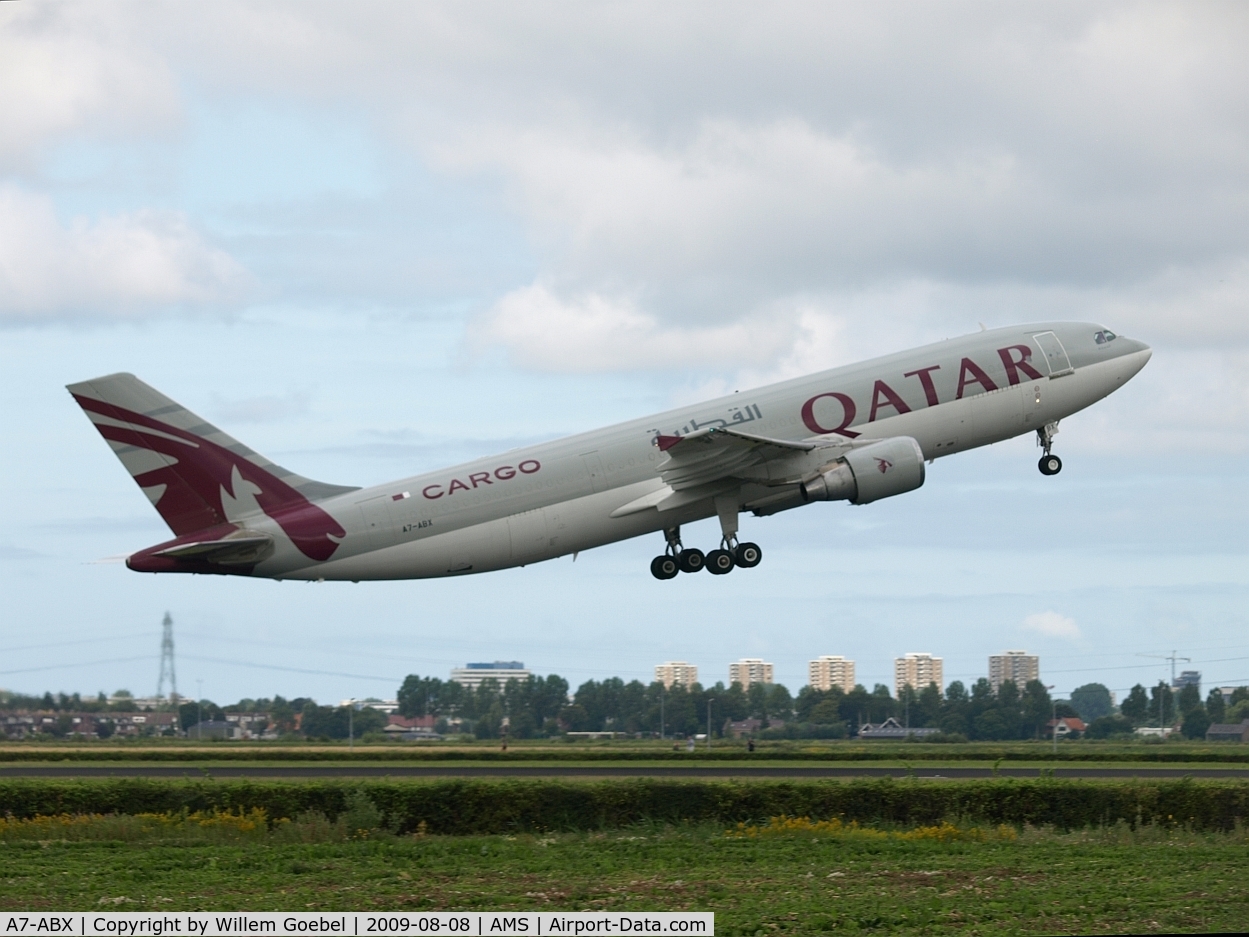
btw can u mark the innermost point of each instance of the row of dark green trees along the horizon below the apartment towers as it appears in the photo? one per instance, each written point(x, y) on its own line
point(543, 708)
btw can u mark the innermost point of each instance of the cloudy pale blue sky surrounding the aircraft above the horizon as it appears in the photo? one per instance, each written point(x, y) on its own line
point(375, 239)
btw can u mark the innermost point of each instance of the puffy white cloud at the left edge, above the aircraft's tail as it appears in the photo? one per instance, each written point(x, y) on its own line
point(122, 265)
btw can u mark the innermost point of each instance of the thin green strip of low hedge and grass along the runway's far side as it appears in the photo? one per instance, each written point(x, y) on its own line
point(1220, 754)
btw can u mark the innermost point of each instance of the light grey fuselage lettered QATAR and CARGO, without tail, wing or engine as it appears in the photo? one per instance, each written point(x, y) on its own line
point(559, 498)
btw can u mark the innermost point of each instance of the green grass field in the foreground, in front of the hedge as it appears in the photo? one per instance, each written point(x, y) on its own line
point(974, 880)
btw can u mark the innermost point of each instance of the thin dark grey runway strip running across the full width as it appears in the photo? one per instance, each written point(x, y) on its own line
point(738, 773)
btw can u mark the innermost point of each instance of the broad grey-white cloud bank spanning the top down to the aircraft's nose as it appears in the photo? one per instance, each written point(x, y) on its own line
point(825, 158)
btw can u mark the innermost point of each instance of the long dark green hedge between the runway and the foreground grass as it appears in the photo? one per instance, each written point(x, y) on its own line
point(474, 806)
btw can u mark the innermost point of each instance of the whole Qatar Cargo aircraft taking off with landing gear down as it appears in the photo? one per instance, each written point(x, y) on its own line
point(854, 434)
